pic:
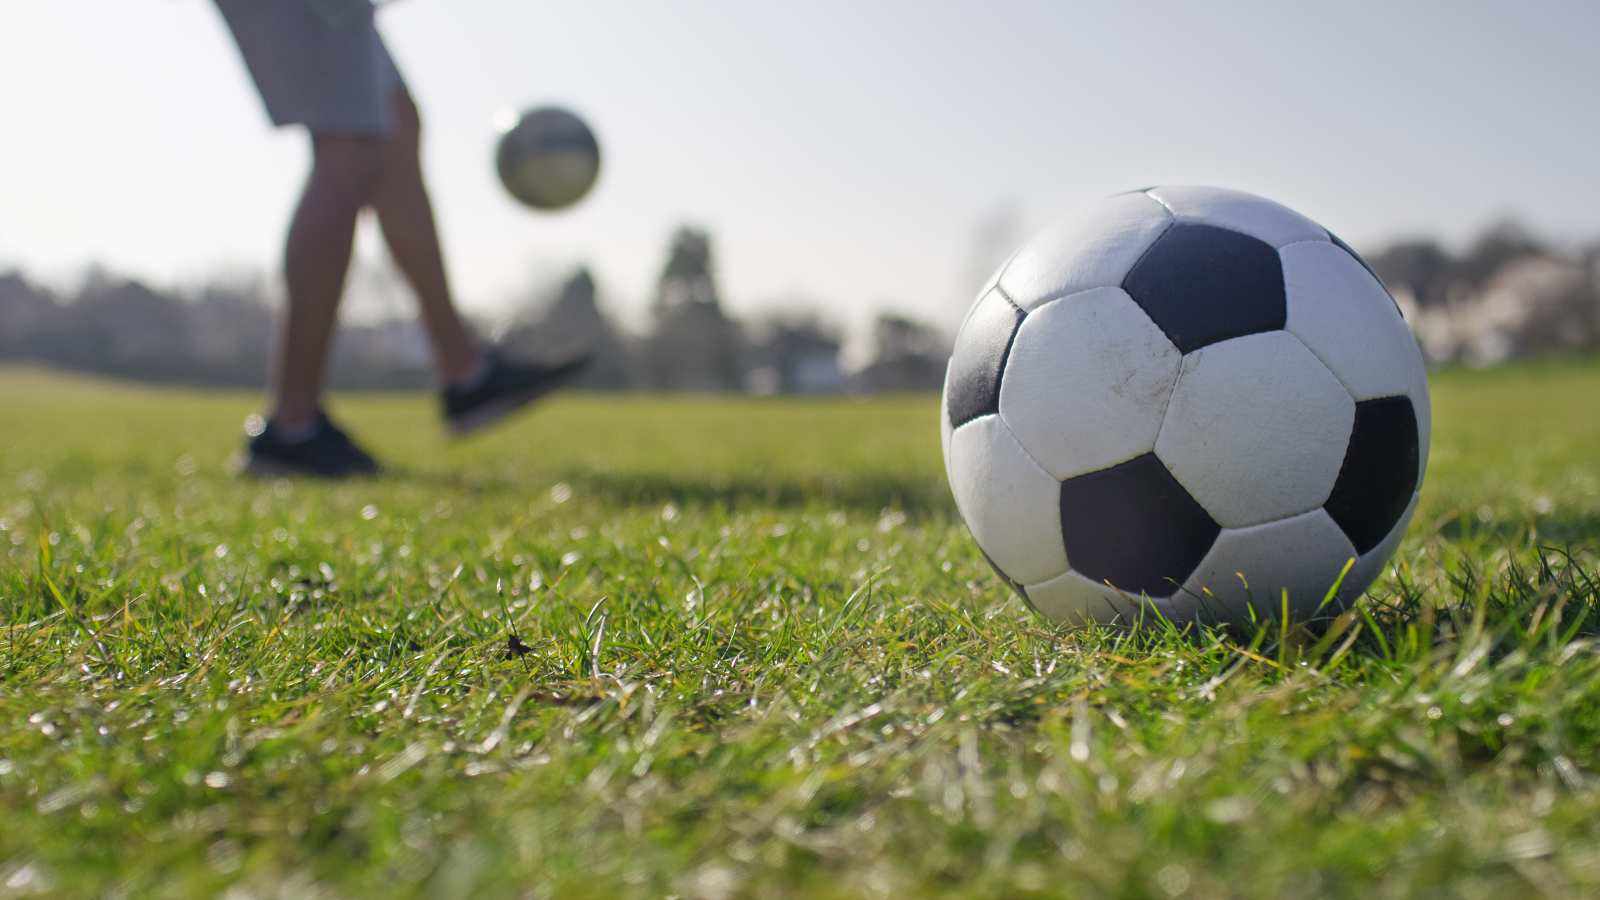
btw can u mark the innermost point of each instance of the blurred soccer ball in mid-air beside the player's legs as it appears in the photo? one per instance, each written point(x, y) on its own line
point(550, 159)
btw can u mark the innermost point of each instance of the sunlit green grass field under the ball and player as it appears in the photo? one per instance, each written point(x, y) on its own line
point(726, 648)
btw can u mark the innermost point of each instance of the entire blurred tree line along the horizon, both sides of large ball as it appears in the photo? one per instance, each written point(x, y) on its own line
point(1508, 295)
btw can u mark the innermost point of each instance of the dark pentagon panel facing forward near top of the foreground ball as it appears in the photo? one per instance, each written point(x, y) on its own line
point(1206, 284)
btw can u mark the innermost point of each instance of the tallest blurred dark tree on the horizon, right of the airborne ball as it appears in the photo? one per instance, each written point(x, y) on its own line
point(695, 347)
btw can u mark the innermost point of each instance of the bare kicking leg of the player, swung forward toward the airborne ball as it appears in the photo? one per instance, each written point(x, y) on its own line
point(407, 219)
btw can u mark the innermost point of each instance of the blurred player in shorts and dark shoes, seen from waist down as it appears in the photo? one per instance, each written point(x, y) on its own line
point(322, 65)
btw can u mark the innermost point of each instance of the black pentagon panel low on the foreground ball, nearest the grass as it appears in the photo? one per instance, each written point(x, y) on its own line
point(1135, 528)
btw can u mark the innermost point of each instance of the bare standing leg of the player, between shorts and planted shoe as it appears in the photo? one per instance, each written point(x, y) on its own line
point(316, 260)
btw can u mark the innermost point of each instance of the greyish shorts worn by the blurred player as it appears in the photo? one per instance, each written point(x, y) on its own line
point(318, 63)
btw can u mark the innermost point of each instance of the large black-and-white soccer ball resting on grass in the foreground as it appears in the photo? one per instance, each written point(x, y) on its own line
point(1185, 401)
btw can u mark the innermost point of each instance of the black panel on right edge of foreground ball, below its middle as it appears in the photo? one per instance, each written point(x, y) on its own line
point(1380, 472)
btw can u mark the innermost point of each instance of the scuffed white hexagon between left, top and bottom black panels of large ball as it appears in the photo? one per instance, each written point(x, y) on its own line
point(1087, 382)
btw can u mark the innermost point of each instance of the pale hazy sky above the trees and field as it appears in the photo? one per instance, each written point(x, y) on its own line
point(850, 158)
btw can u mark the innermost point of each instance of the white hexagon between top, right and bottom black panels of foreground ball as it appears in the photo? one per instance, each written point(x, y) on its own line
point(1257, 430)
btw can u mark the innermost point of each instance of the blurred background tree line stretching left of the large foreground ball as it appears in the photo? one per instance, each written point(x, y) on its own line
point(220, 335)
